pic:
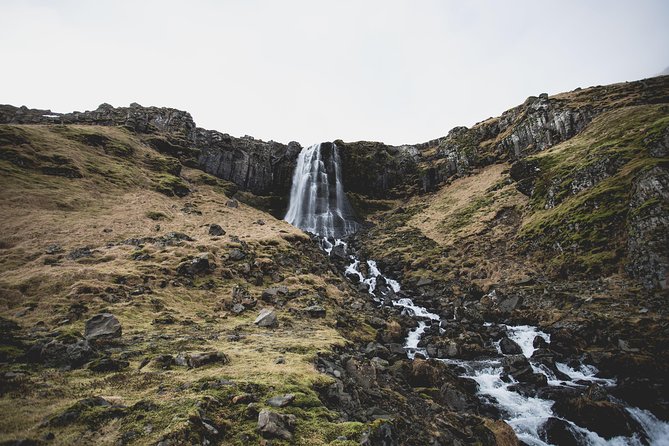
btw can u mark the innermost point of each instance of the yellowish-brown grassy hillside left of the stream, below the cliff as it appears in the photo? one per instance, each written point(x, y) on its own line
point(89, 216)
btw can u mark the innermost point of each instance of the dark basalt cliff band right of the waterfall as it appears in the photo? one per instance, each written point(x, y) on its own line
point(534, 126)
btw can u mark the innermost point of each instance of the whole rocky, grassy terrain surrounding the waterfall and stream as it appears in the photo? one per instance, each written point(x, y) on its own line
point(151, 294)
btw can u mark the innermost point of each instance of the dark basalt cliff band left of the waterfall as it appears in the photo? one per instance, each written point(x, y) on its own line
point(263, 168)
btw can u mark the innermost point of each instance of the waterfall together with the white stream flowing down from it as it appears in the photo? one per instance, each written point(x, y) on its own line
point(318, 205)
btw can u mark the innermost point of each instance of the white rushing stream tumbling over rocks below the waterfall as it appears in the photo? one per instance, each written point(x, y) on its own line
point(525, 414)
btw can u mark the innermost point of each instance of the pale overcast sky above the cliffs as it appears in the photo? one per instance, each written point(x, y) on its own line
point(392, 71)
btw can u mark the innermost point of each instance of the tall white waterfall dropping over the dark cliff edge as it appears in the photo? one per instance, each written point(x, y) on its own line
point(317, 200)
